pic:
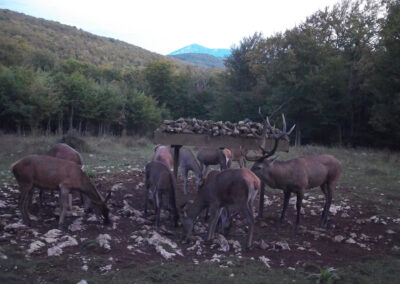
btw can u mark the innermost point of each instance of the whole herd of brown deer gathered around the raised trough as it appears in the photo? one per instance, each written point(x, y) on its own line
point(219, 193)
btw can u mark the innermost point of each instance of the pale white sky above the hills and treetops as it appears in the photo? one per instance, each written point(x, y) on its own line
point(164, 26)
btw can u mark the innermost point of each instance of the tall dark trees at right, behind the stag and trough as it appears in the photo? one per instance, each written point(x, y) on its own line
point(337, 75)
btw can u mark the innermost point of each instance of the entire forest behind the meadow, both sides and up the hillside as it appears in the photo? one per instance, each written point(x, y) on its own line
point(336, 76)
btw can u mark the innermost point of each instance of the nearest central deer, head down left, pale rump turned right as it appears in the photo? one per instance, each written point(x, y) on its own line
point(232, 187)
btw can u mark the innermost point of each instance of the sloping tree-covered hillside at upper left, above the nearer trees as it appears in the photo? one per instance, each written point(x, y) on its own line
point(19, 31)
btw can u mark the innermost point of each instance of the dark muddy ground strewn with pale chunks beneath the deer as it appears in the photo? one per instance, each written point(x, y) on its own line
point(355, 232)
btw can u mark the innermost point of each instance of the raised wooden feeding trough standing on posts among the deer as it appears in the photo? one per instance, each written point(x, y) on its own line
point(176, 137)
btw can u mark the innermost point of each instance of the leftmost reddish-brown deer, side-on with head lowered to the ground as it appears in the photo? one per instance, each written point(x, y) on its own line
point(51, 173)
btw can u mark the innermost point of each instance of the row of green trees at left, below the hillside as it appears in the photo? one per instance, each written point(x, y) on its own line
point(76, 96)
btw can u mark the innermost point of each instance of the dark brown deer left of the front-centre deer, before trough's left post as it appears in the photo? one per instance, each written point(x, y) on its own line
point(160, 181)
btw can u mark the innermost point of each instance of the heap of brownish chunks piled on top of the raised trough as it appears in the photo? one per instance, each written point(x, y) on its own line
point(219, 128)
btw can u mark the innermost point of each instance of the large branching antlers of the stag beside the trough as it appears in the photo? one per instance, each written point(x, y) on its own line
point(267, 125)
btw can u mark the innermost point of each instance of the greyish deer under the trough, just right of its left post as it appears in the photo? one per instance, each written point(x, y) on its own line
point(187, 162)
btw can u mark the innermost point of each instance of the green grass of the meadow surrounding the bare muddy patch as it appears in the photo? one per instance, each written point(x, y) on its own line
point(369, 177)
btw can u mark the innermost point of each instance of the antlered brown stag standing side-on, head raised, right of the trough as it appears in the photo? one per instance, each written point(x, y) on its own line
point(297, 175)
